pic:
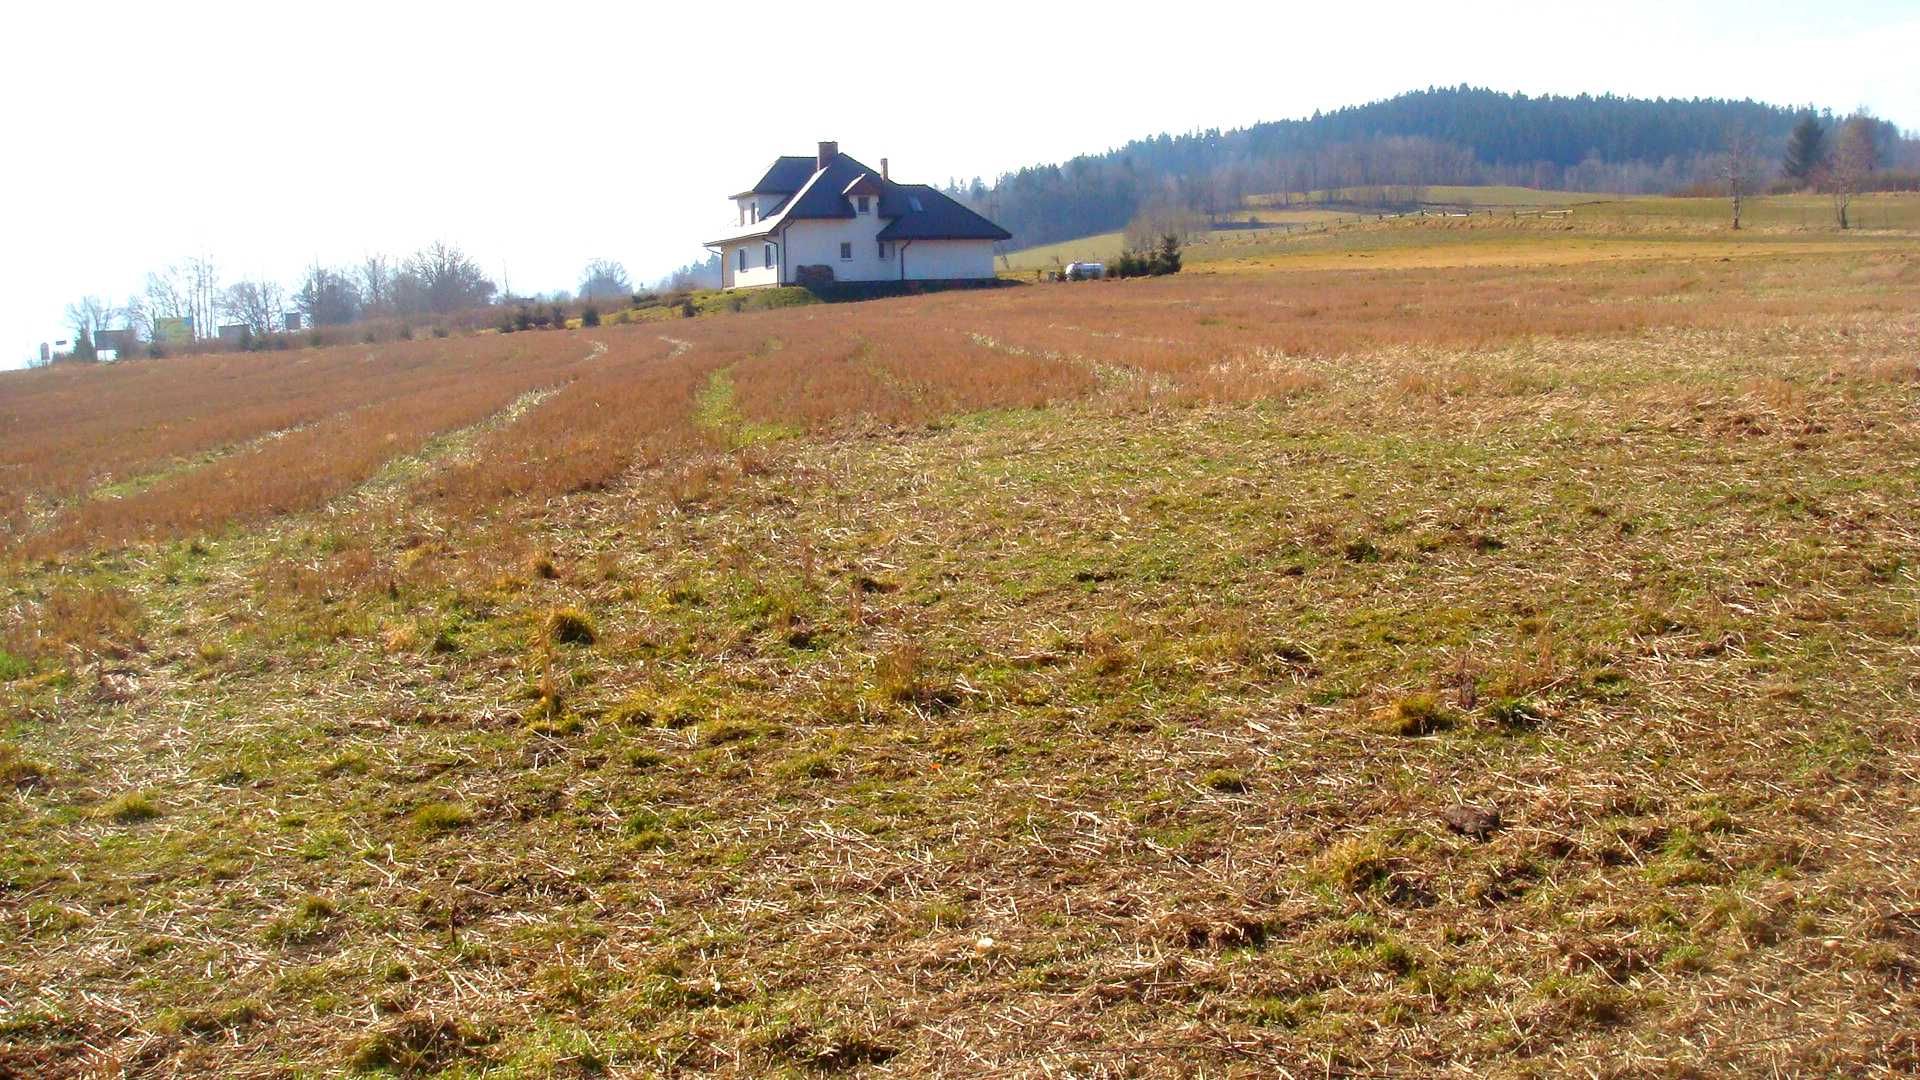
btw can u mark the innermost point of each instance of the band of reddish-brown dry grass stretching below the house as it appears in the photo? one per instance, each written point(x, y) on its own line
point(654, 403)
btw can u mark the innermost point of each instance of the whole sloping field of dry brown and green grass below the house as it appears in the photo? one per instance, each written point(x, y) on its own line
point(1307, 666)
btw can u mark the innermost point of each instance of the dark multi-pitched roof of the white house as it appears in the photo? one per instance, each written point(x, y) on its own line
point(919, 212)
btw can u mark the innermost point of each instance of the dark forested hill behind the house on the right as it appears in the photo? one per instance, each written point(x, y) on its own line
point(1428, 137)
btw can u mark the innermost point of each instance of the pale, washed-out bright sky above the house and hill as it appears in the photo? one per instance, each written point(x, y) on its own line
point(539, 137)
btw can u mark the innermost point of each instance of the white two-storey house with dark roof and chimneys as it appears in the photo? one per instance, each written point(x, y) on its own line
point(855, 222)
